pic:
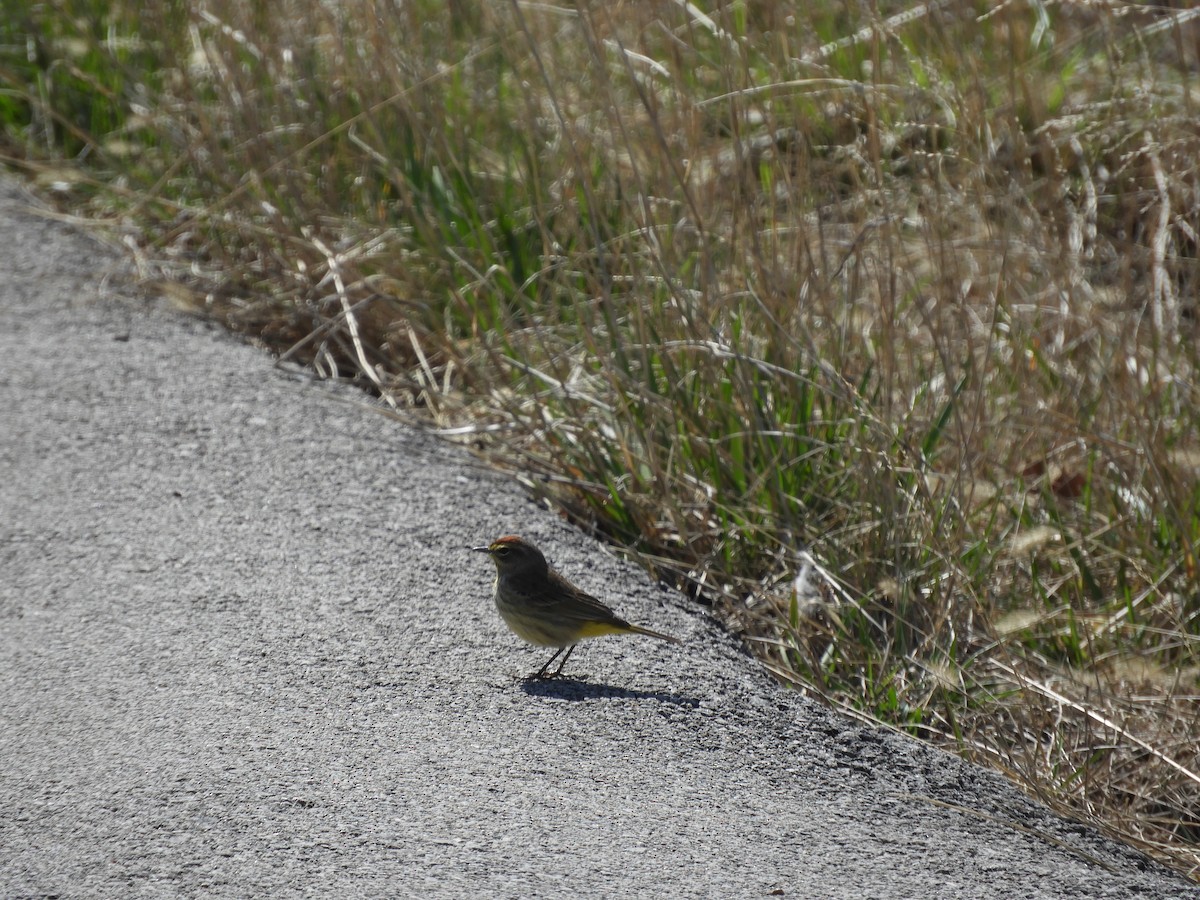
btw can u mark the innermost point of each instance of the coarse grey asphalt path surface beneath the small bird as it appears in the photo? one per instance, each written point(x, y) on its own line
point(245, 652)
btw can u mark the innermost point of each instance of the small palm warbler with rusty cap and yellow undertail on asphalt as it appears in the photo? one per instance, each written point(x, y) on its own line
point(543, 608)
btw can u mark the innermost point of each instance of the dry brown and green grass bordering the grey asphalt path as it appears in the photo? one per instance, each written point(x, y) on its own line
point(873, 327)
